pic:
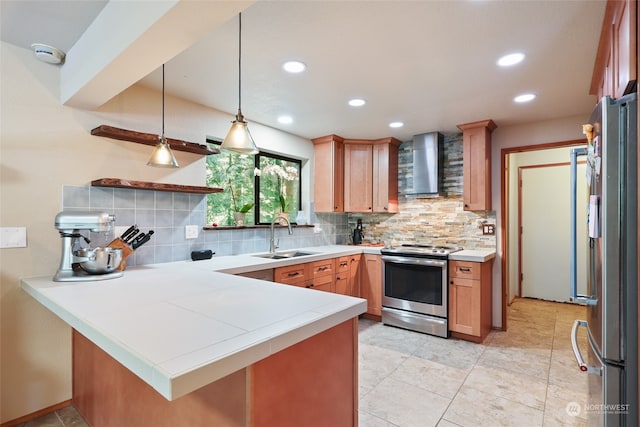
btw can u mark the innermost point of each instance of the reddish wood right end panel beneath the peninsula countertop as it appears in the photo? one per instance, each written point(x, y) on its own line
point(312, 384)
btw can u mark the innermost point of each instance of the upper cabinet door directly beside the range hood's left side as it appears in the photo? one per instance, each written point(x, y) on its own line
point(385, 178)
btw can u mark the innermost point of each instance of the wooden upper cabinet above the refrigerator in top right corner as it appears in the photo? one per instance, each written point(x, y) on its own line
point(616, 67)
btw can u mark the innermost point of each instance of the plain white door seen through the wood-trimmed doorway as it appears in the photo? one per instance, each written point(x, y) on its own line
point(545, 237)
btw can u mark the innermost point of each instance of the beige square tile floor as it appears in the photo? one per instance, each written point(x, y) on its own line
point(523, 377)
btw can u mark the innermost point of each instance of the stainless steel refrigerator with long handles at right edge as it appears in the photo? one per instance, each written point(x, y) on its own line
point(612, 287)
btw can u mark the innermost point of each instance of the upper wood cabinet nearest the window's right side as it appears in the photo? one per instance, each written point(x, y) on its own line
point(328, 182)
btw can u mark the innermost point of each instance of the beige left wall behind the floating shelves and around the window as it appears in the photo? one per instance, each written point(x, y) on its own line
point(43, 146)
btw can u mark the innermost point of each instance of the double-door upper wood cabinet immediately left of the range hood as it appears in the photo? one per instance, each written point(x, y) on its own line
point(371, 175)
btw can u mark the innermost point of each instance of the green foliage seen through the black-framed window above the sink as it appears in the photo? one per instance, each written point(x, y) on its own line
point(278, 180)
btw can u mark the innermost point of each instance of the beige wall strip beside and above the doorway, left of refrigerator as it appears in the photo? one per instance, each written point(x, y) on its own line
point(562, 129)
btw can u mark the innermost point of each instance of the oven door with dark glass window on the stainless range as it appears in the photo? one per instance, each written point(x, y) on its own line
point(415, 284)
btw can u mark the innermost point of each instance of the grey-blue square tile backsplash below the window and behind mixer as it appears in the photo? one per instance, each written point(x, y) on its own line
point(167, 214)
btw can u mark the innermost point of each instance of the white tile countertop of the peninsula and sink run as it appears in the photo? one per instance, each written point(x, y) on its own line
point(182, 325)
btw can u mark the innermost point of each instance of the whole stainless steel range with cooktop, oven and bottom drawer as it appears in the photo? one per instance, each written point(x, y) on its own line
point(415, 285)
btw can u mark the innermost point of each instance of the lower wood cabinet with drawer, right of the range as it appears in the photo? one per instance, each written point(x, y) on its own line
point(470, 299)
